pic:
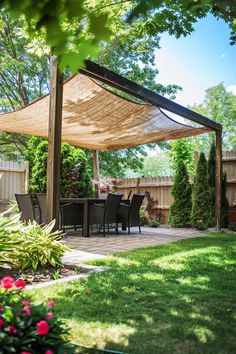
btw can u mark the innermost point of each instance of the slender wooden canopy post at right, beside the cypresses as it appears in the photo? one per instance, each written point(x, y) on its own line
point(218, 195)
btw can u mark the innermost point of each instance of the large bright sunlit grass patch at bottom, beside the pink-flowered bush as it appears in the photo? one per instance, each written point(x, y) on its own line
point(97, 334)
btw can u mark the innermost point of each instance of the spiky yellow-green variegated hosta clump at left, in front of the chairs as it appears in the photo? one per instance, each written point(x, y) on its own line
point(29, 246)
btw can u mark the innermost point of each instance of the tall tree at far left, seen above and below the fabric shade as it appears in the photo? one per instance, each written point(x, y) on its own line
point(23, 76)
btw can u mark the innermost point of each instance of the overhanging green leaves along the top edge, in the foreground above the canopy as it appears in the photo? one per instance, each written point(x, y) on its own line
point(75, 28)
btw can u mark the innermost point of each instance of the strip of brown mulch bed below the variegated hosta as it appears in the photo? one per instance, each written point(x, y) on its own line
point(32, 277)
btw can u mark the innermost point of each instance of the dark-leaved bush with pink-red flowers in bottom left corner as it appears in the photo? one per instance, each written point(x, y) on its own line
point(26, 328)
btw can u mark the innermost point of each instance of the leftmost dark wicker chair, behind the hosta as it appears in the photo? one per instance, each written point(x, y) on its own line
point(29, 211)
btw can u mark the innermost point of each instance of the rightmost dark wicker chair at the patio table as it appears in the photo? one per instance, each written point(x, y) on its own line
point(128, 215)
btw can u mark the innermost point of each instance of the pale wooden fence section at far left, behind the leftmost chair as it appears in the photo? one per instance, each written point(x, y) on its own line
point(14, 178)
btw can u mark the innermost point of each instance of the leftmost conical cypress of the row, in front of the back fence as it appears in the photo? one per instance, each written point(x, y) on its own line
point(180, 210)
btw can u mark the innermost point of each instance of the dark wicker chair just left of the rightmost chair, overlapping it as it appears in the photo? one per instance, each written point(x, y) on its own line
point(103, 215)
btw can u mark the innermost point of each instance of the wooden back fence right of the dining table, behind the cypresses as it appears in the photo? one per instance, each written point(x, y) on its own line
point(160, 187)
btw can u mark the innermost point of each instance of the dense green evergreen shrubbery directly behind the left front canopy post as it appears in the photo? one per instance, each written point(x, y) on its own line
point(71, 158)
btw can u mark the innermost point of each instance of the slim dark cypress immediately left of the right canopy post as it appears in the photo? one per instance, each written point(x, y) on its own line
point(211, 166)
